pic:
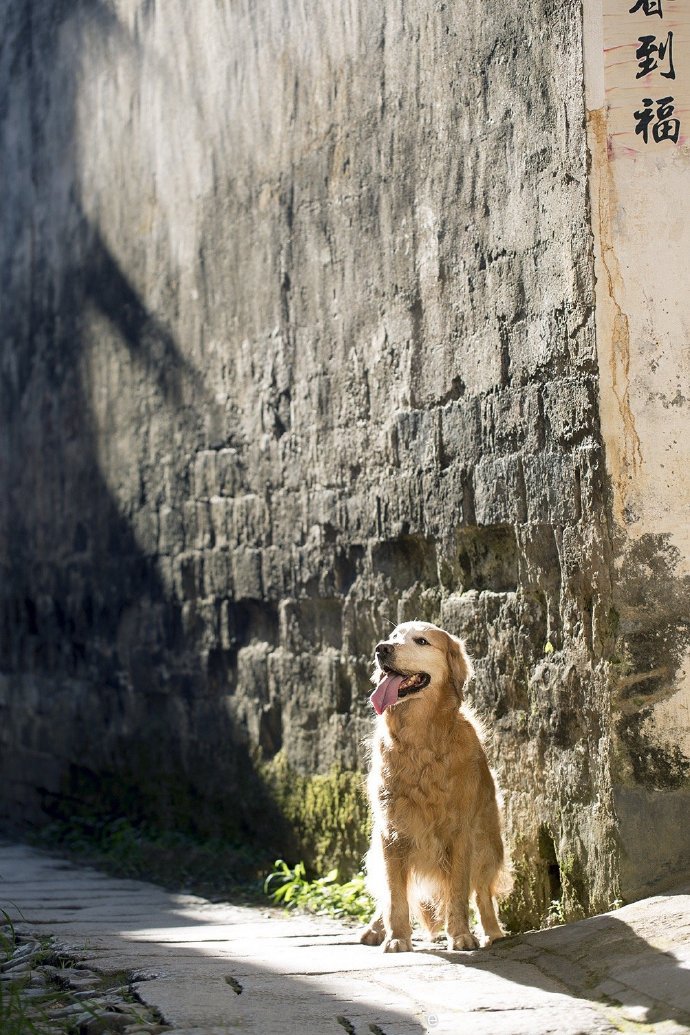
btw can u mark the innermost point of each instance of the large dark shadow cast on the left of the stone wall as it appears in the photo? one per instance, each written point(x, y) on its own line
point(103, 691)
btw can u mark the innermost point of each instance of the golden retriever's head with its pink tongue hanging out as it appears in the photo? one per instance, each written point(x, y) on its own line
point(417, 659)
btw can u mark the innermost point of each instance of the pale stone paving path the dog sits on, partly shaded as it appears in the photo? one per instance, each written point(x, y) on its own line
point(213, 969)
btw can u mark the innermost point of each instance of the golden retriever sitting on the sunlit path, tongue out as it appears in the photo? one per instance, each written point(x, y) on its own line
point(437, 834)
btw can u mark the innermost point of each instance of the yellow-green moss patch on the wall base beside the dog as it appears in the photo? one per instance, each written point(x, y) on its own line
point(328, 815)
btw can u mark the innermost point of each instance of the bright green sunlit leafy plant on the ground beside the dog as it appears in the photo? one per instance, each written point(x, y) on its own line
point(325, 896)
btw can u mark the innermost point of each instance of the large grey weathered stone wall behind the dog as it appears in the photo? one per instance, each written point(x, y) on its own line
point(298, 341)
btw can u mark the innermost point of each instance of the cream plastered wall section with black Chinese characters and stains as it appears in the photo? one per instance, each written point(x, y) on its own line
point(641, 215)
